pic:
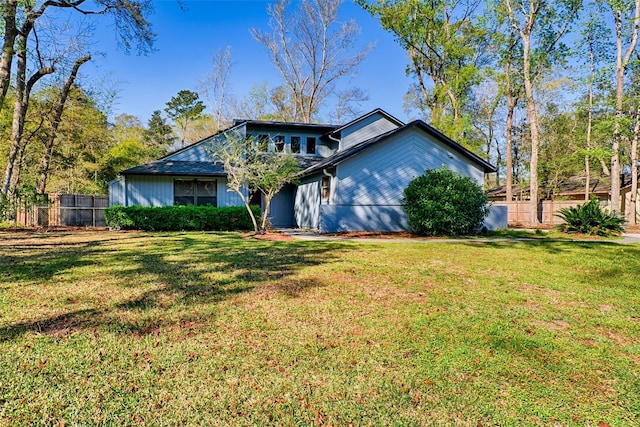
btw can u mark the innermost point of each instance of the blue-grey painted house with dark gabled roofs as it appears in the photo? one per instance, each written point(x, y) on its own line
point(353, 175)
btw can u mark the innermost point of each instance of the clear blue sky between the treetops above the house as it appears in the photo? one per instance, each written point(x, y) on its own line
point(187, 39)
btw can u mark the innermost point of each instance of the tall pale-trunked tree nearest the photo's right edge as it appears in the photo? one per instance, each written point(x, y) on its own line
point(626, 17)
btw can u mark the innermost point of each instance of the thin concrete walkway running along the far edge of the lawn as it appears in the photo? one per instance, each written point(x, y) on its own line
point(312, 235)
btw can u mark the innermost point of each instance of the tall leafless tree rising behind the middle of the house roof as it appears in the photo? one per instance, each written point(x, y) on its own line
point(312, 50)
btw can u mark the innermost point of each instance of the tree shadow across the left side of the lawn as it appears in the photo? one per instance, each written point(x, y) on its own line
point(178, 270)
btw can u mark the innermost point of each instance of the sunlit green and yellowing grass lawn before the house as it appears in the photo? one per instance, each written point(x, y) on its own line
point(216, 329)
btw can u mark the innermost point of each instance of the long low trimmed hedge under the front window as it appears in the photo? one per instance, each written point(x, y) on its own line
point(180, 218)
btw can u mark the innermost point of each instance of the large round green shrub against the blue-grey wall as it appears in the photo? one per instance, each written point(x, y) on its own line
point(442, 202)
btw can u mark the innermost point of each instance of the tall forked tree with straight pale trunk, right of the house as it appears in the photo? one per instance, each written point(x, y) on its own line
point(540, 26)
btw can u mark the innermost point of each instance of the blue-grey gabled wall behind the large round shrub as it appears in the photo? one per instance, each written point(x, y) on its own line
point(369, 187)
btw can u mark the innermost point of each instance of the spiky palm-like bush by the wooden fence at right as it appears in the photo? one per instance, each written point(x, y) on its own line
point(591, 219)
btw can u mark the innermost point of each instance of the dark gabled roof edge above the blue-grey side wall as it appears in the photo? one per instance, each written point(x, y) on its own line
point(419, 124)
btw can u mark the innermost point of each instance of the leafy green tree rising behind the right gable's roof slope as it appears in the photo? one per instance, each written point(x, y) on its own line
point(446, 49)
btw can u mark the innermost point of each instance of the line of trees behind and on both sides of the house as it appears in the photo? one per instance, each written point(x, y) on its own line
point(548, 91)
